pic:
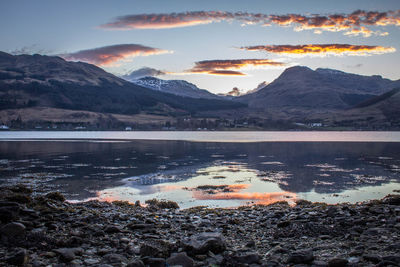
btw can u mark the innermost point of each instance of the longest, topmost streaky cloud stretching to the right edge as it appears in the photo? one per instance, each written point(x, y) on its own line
point(352, 24)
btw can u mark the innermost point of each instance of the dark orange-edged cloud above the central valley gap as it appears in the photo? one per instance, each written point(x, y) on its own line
point(231, 66)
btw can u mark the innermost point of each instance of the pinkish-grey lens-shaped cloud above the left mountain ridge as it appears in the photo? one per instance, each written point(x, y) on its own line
point(110, 55)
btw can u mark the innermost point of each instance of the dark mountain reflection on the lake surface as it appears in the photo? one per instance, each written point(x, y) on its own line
point(91, 166)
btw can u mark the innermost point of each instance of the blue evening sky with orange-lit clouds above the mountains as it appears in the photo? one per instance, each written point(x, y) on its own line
point(217, 45)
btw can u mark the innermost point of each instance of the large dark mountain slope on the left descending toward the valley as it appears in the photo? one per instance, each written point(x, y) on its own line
point(49, 81)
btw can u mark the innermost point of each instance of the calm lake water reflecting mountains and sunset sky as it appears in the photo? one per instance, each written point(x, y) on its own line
point(329, 167)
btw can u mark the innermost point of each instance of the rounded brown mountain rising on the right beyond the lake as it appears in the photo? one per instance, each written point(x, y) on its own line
point(321, 89)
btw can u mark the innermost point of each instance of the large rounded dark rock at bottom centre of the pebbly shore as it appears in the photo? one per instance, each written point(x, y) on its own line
point(204, 242)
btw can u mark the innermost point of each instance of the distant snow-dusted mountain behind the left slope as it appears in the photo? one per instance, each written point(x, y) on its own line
point(176, 87)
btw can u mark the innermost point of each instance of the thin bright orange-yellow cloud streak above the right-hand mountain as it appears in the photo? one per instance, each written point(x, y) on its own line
point(322, 49)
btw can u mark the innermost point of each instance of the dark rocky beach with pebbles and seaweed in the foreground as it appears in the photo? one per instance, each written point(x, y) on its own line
point(45, 230)
